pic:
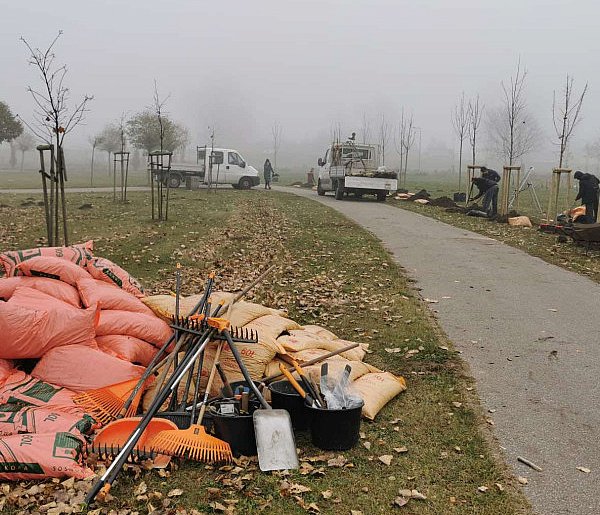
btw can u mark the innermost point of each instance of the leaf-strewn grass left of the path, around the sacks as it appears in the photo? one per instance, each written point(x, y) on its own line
point(329, 272)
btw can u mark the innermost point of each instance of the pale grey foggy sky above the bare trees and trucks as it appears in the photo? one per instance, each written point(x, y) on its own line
point(241, 65)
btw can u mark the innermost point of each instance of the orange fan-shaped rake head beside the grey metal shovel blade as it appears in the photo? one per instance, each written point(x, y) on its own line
point(193, 443)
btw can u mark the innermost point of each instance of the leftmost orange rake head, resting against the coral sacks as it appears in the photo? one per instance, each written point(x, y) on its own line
point(105, 404)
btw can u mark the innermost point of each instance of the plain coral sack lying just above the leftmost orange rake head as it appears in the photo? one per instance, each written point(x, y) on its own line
point(81, 368)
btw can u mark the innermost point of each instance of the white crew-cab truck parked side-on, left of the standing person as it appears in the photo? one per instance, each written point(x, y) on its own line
point(216, 166)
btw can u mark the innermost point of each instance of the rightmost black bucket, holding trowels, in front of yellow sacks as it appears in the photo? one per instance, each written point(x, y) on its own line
point(335, 430)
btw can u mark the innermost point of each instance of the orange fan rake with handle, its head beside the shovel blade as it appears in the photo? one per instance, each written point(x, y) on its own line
point(194, 443)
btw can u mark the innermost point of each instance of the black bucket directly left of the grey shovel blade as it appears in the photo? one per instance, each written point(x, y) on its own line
point(236, 430)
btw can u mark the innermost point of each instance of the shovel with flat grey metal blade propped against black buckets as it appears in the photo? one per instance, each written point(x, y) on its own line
point(275, 443)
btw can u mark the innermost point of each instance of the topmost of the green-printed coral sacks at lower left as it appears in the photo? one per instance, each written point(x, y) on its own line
point(21, 388)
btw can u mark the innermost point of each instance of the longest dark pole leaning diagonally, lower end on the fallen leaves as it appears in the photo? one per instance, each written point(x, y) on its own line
point(105, 481)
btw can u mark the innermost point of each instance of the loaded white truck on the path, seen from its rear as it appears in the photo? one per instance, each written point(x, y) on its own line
point(353, 168)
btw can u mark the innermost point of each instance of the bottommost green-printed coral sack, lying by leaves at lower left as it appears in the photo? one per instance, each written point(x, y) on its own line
point(36, 456)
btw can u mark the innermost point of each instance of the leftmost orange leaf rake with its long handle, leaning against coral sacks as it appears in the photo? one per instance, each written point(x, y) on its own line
point(122, 399)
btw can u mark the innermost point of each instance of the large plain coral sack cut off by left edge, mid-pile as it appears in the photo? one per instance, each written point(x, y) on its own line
point(32, 322)
